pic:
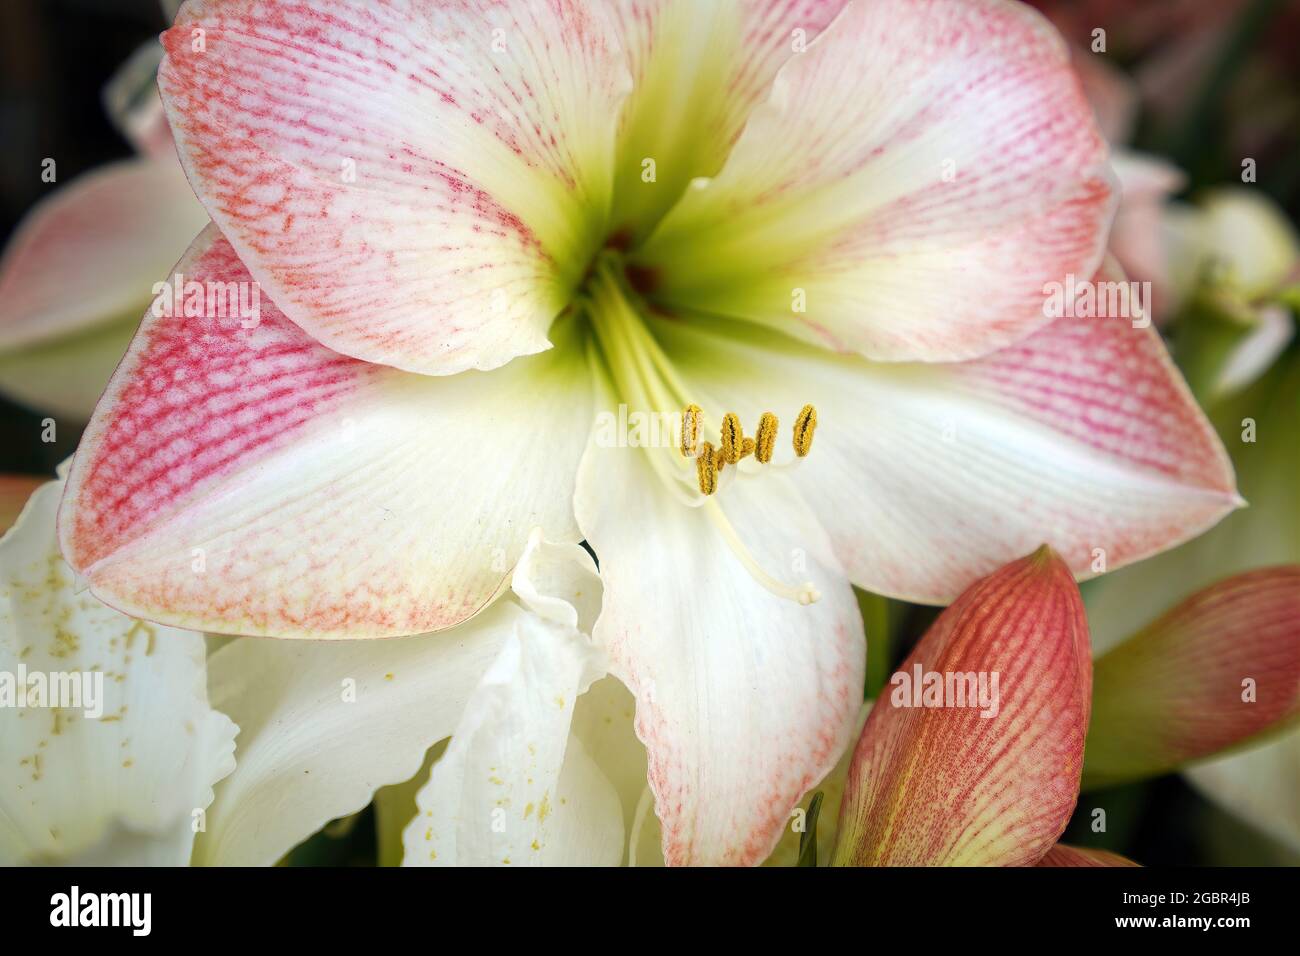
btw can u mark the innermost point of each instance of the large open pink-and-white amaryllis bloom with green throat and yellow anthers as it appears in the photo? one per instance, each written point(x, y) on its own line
point(480, 224)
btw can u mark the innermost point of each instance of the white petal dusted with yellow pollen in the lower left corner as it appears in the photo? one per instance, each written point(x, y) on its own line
point(132, 785)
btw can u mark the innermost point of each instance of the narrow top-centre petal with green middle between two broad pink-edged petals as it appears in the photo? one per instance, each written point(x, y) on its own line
point(699, 71)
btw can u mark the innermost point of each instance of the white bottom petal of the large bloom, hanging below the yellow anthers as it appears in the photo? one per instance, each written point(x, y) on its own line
point(743, 700)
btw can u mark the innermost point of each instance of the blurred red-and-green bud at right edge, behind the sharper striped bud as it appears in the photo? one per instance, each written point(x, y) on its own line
point(1217, 672)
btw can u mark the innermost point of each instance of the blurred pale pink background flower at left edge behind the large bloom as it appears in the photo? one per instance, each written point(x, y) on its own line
point(81, 267)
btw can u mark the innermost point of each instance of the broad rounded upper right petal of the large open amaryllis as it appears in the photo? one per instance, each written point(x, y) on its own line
point(917, 178)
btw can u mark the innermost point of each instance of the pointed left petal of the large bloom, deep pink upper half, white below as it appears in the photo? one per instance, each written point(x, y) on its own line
point(249, 481)
